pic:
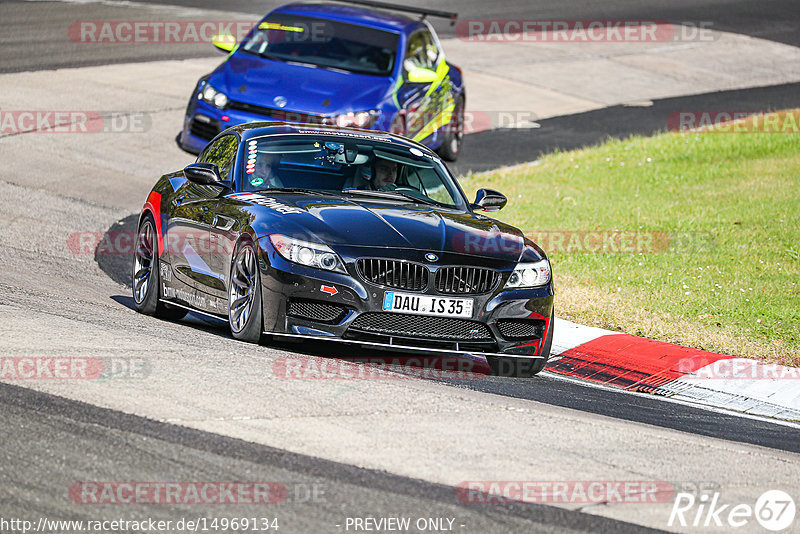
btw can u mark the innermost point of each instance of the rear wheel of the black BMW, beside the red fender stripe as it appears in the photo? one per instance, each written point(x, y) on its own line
point(146, 276)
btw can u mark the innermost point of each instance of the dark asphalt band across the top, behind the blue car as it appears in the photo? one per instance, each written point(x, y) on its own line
point(43, 48)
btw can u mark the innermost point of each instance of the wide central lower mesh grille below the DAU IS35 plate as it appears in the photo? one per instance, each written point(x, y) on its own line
point(419, 326)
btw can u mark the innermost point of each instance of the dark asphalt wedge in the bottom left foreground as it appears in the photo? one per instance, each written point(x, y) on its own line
point(319, 494)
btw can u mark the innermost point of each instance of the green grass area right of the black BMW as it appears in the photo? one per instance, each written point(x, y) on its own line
point(727, 281)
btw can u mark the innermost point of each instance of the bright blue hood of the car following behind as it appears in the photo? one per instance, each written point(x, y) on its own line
point(255, 80)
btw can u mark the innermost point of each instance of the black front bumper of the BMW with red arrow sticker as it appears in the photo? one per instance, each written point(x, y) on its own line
point(306, 302)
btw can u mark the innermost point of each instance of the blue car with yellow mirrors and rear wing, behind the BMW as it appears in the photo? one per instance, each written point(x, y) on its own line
point(335, 65)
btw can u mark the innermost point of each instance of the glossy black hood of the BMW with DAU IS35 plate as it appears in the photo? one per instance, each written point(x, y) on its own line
point(374, 223)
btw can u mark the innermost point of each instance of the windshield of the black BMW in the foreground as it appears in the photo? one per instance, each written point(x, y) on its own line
point(360, 167)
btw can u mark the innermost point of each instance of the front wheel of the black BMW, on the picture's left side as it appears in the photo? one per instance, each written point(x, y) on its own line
point(245, 315)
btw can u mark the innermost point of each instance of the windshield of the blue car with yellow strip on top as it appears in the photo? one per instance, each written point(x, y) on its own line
point(324, 43)
